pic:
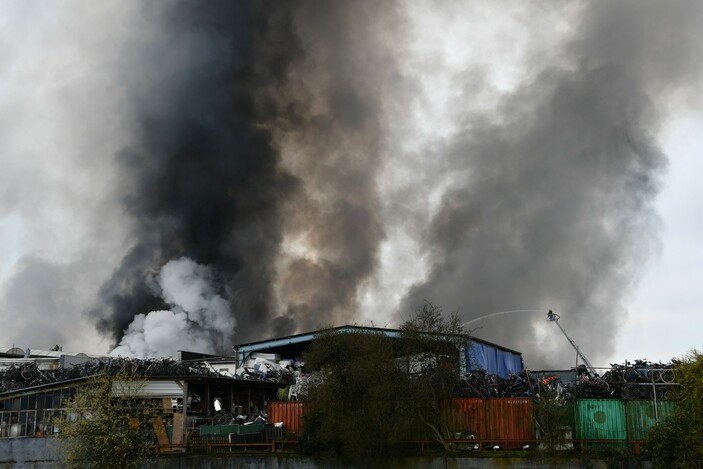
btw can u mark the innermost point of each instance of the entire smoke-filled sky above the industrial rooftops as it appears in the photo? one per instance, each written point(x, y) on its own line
point(190, 175)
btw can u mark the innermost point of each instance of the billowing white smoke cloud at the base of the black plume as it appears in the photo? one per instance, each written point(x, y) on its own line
point(199, 318)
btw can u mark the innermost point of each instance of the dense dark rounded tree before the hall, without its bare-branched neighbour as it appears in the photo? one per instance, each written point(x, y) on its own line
point(354, 412)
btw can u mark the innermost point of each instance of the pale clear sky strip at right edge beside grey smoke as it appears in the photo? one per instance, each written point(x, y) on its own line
point(665, 321)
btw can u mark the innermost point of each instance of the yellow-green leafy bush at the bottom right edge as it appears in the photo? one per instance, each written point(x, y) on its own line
point(678, 441)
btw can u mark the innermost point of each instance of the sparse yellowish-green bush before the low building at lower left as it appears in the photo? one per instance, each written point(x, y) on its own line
point(108, 425)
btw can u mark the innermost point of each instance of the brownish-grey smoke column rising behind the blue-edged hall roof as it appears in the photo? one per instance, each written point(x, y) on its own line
point(331, 124)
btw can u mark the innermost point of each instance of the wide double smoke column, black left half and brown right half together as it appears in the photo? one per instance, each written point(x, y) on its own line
point(254, 121)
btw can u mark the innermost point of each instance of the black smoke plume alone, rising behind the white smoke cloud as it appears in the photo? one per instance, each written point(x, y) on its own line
point(205, 178)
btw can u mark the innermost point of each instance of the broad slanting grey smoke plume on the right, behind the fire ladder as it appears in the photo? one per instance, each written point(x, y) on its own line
point(555, 210)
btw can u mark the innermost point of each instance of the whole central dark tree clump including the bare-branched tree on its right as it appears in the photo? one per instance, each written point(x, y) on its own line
point(377, 394)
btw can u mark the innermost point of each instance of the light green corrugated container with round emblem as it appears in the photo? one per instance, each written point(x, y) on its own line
point(601, 419)
